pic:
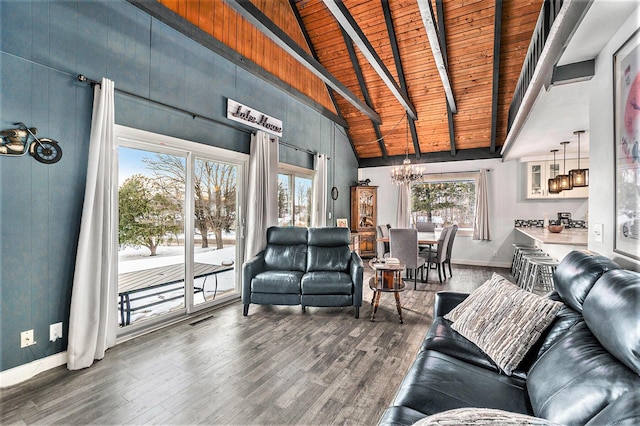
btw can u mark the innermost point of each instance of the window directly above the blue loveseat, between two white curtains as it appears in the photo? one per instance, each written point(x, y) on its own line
point(295, 196)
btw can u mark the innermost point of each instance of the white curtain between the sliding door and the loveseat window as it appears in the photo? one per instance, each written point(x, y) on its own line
point(262, 194)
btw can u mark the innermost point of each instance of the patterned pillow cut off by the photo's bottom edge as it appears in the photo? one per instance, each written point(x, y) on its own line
point(481, 416)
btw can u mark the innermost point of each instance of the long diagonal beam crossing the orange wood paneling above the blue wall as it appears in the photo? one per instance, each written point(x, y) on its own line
point(255, 16)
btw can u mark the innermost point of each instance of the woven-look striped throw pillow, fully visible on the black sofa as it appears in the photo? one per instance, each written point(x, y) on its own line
point(503, 320)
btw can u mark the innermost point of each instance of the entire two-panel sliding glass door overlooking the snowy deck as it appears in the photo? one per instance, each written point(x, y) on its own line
point(179, 244)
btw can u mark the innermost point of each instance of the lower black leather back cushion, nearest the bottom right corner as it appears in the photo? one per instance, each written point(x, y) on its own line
point(577, 378)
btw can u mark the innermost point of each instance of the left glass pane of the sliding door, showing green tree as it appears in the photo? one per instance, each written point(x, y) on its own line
point(151, 254)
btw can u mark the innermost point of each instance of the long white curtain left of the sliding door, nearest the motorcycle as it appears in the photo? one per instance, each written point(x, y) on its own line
point(93, 319)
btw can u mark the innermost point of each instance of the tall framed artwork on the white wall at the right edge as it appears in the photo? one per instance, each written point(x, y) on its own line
point(626, 74)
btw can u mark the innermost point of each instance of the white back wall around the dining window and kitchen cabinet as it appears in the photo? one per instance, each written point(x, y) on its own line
point(507, 203)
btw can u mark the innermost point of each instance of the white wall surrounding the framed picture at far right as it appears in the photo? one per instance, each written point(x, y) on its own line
point(601, 172)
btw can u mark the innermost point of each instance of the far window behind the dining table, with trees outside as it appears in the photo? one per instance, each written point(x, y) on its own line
point(445, 200)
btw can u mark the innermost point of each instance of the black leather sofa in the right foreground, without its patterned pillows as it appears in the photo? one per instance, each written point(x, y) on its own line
point(584, 369)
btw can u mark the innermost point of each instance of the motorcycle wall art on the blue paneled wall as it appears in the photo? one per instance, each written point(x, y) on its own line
point(16, 142)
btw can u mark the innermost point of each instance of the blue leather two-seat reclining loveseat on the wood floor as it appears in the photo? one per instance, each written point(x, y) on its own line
point(304, 266)
